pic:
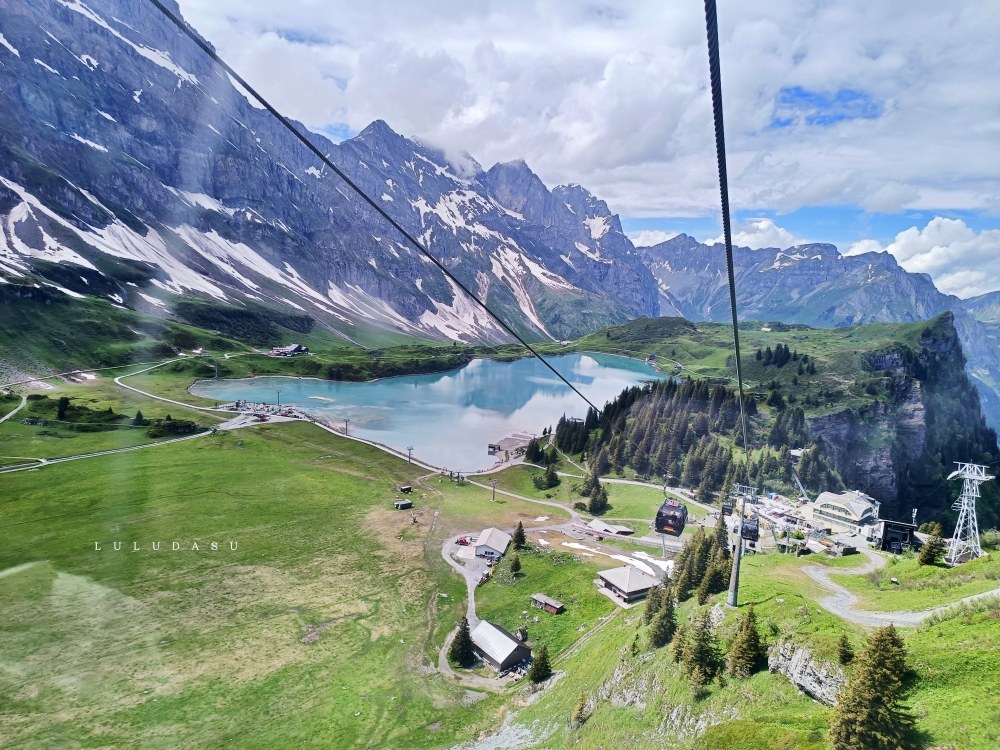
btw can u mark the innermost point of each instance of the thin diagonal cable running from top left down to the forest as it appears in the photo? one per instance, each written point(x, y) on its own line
point(208, 50)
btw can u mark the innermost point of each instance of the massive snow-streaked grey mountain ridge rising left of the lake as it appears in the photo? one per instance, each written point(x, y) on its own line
point(228, 205)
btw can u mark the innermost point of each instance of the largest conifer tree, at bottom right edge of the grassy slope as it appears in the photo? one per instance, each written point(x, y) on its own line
point(868, 715)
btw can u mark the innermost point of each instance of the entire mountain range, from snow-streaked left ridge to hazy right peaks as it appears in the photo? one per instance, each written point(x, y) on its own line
point(133, 169)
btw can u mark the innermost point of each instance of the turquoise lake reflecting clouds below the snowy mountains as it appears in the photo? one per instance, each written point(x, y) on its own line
point(451, 417)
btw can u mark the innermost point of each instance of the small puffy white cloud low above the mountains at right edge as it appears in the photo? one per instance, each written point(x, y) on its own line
point(961, 261)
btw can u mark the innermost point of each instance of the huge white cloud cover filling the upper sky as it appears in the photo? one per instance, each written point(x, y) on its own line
point(615, 96)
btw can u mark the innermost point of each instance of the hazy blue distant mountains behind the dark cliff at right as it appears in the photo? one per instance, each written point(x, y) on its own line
point(814, 284)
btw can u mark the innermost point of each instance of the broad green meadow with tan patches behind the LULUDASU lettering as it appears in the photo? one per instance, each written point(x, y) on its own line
point(203, 647)
